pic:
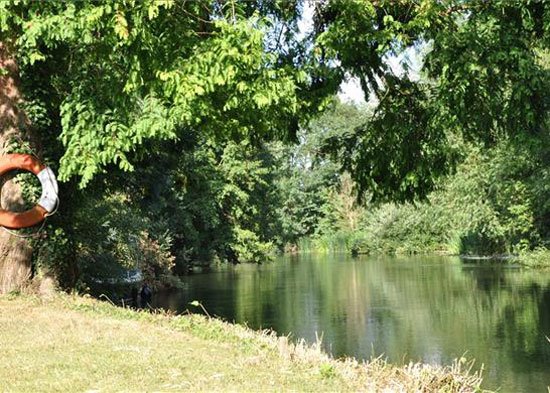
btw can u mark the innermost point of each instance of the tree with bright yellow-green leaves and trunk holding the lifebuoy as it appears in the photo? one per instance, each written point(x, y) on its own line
point(113, 76)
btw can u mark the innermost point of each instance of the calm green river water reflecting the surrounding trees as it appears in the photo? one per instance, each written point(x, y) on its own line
point(430, 309)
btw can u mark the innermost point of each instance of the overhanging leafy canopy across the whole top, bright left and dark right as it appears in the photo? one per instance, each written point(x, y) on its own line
point(124, 73)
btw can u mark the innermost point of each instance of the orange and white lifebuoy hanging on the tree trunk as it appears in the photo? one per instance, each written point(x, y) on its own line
point(48, 199)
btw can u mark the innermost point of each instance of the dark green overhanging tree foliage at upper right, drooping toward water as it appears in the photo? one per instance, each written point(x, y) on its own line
point(483, 76)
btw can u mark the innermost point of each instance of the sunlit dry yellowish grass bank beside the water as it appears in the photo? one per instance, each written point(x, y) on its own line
point(68, 343)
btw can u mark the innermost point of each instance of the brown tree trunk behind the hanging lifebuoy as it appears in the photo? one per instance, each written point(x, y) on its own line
point(15, 252)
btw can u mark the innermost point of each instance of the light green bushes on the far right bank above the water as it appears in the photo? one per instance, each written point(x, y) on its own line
point(493, 204)
